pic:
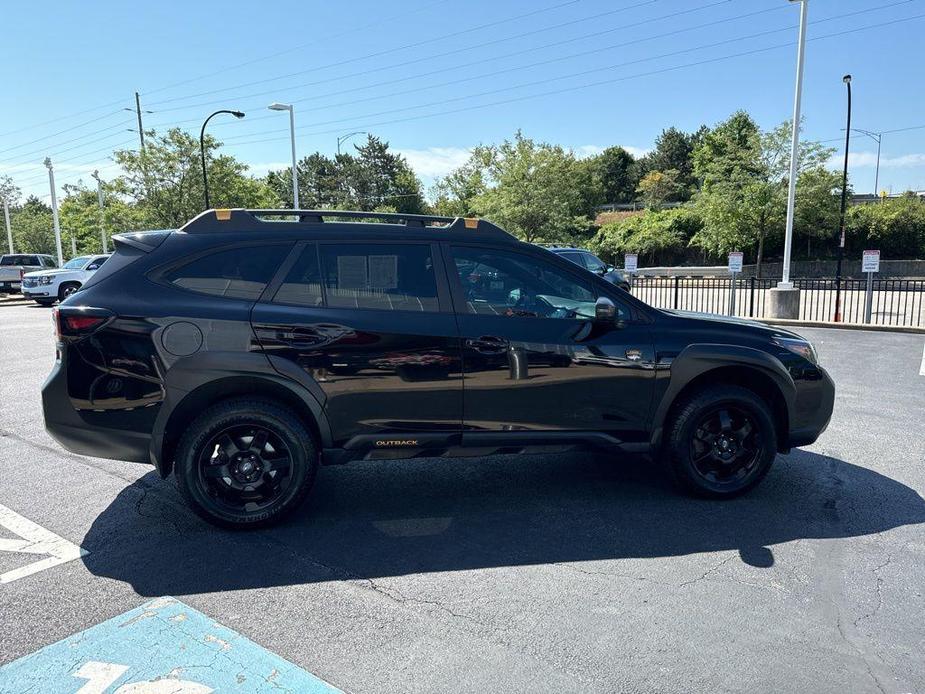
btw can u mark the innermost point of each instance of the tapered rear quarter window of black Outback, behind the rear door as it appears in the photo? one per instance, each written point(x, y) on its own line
point(233, 273)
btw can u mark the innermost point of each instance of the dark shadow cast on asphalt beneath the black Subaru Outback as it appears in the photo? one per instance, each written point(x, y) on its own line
point(390, 518)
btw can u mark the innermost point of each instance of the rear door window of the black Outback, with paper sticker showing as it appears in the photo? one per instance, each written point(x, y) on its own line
point(388, 277)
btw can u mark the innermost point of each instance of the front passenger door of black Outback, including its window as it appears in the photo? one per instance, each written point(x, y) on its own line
point(532, 355)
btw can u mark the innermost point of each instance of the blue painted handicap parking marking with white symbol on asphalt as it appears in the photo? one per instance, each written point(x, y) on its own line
point(163, 646)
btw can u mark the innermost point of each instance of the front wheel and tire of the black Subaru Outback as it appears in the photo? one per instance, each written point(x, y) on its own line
point(716, 455)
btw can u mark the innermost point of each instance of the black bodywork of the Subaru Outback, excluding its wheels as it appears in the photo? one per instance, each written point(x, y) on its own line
point(418, 376)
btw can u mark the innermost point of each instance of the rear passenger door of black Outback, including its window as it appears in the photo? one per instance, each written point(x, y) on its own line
point(370, 325)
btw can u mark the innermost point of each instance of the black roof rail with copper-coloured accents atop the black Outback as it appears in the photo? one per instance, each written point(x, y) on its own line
point(233, 220)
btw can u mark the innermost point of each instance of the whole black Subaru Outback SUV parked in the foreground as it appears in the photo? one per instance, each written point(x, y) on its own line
point(248, 347)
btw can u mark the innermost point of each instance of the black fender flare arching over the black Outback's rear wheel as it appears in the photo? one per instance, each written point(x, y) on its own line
point(197, 381)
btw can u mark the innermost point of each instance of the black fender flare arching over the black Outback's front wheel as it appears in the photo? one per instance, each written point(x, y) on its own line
point(695, 363)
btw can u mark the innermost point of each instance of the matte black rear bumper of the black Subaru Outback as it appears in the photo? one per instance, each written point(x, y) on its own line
point(68, 427)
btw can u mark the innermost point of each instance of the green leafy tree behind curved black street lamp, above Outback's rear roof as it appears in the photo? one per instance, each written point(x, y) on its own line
point(165, 181)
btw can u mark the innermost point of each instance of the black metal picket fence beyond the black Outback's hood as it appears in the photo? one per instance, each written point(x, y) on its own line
point(893, 301)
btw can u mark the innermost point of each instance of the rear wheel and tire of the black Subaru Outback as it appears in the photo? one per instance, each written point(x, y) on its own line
point(246, 483)
